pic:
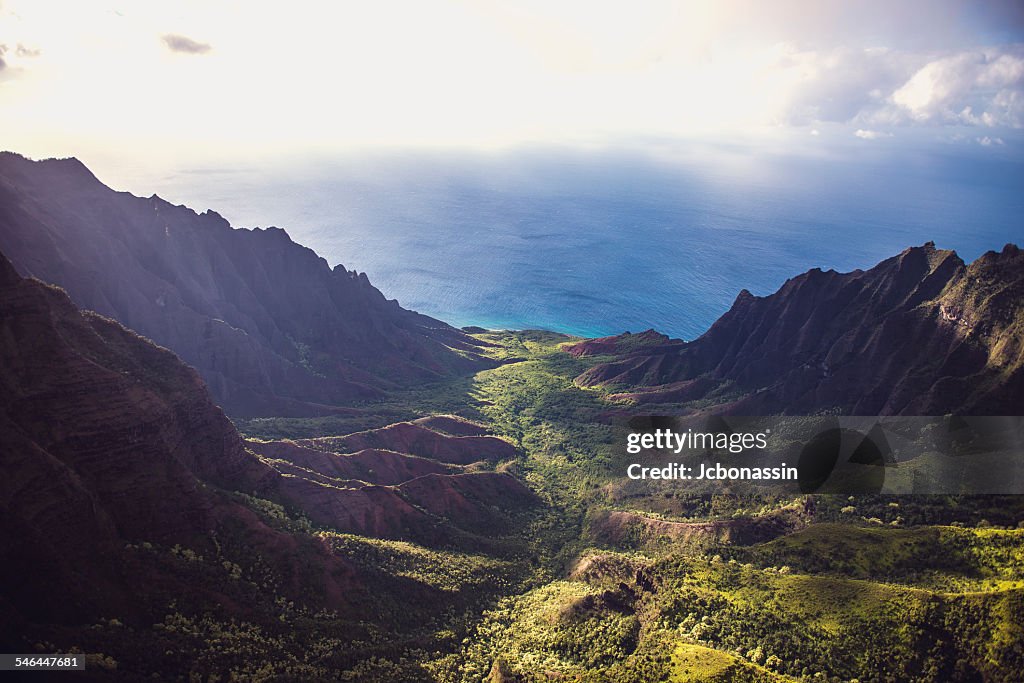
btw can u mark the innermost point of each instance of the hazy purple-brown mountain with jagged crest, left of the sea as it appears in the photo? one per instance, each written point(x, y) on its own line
point(271, 327)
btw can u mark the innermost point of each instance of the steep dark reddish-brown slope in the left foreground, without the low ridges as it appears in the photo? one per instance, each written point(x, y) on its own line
point(105, 441)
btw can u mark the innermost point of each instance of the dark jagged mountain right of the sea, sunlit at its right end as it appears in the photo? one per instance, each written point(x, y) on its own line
point(919, 334)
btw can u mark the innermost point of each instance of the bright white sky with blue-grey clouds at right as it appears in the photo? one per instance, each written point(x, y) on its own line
point(214, 80)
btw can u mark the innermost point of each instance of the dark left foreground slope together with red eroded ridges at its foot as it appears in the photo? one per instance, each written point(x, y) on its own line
point(110, 442)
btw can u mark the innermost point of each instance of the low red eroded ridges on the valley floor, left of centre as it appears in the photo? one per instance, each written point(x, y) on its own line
point(400, 481)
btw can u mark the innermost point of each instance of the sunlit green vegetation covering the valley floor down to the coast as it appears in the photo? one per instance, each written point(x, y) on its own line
point(867, 588)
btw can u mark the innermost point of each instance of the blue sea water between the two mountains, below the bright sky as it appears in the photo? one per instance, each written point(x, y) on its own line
point(600, 242)
